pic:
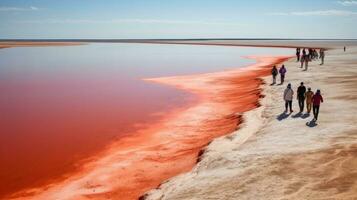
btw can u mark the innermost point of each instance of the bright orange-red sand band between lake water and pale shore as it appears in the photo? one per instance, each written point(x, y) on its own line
point(140, 162)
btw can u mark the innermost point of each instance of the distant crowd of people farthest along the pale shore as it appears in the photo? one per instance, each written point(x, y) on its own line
point(305, 56)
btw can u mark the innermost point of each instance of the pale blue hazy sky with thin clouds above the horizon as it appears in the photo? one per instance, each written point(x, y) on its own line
point(178, 19)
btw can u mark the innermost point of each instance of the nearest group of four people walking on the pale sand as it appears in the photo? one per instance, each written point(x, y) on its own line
point(312, 100)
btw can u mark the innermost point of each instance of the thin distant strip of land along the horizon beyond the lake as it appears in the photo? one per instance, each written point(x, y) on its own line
point(276, 43)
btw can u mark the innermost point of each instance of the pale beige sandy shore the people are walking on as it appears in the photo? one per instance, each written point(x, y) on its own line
point(273, 156)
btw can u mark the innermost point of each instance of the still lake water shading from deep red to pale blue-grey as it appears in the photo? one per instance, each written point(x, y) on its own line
point(60, 105)
